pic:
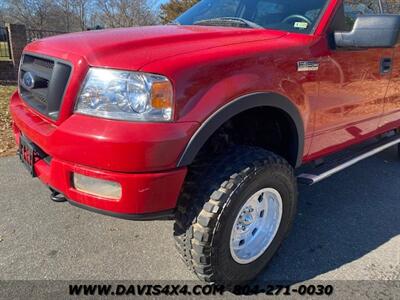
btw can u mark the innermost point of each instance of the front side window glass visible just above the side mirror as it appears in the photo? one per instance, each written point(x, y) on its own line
point(356, 8)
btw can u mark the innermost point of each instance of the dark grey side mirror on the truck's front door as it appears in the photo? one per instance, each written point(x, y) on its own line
point(372, 31)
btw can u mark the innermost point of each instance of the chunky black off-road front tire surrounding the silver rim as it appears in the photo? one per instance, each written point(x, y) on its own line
point(212, 197)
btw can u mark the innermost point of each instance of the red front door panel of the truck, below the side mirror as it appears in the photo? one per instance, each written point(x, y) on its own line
point(351, 98)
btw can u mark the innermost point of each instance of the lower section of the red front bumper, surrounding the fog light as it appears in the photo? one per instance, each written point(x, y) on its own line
point(144, 196)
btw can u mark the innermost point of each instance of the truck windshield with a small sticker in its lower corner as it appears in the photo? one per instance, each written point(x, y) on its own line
point(288, 15)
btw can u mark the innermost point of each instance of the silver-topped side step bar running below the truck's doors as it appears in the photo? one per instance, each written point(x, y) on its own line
point(328, 170)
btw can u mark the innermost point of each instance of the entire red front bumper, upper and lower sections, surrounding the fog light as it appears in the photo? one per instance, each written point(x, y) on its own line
point(127, 153)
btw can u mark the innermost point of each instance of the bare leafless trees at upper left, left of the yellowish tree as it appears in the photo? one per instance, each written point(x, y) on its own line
point(77, 15)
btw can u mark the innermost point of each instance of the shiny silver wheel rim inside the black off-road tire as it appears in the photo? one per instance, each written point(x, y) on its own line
point(256, 225)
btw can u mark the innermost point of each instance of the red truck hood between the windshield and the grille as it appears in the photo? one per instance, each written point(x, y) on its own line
point(132, 48)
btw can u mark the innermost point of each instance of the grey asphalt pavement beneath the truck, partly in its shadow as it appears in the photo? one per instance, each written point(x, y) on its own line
point(347, 228)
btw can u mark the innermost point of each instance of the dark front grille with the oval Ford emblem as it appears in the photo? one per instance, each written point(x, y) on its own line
point(42, 83)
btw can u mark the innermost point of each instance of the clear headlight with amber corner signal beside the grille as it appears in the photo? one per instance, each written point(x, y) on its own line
point(123, 95)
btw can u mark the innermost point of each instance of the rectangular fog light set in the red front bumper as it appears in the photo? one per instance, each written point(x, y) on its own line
point(97, 187)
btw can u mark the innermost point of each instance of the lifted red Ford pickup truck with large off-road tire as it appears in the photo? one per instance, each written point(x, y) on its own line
point(208, 120)
